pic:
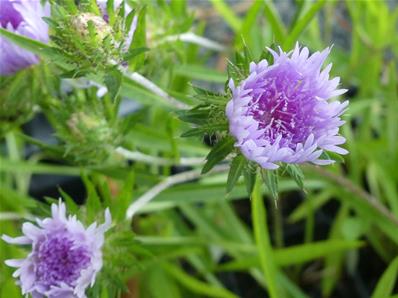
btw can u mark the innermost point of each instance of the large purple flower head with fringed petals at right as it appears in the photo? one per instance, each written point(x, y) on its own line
point(283, 113)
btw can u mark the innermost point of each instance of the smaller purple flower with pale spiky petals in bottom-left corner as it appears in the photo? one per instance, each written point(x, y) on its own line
point(65, 256)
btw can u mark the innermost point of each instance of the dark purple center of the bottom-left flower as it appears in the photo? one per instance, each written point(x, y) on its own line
point(60, 260)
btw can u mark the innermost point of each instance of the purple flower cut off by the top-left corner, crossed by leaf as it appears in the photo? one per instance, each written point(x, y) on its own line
point(24, 18)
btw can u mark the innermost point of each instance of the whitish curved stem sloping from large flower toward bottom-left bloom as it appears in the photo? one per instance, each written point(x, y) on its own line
point(166, 183)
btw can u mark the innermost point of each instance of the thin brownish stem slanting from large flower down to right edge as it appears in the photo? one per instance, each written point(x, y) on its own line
point(356, 190)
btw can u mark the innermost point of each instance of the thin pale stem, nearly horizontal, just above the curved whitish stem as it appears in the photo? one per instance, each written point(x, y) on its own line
point(158, 161)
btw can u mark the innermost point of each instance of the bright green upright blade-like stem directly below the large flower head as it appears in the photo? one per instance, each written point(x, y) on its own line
point(259, 217)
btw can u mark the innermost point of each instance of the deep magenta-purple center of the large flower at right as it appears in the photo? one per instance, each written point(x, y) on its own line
point(282, 108)
